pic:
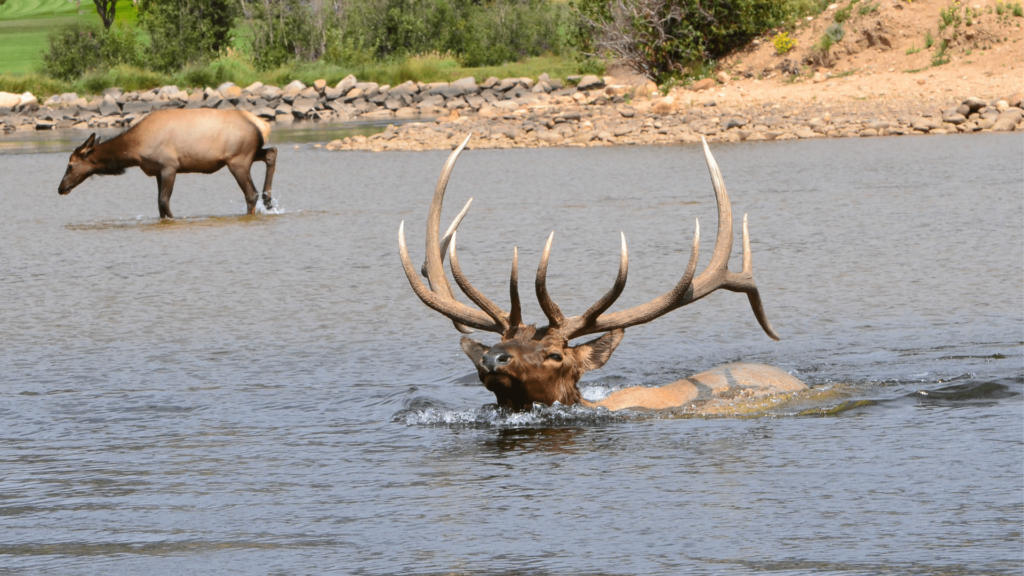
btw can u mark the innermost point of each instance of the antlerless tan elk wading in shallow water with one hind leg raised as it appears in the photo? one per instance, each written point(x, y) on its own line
point(170, 142)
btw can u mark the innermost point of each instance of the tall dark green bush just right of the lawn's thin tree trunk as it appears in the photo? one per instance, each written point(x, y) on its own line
point(184, 32)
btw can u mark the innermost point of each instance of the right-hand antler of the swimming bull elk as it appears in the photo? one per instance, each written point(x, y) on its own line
point(689, 290)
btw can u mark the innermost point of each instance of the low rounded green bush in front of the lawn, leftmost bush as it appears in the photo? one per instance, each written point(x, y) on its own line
point(78, 49)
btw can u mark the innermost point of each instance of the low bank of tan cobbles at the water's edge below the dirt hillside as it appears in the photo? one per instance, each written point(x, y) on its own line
point(586, 120)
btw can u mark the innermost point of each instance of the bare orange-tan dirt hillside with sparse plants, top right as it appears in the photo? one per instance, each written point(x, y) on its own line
point(883, 56)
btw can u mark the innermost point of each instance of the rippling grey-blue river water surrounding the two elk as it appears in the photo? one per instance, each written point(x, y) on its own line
point(267, 395)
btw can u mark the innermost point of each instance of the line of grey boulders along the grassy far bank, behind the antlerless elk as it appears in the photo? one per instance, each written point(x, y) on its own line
point(349, 100)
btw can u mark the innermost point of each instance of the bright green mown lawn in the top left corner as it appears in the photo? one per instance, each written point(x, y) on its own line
point(25, 25)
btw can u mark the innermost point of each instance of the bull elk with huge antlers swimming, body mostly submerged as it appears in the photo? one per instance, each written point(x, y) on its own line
point(534, 364)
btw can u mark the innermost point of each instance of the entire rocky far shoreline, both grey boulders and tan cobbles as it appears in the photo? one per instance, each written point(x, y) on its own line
point(522, 112)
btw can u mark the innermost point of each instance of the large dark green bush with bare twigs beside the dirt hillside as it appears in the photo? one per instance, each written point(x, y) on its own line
point(663, 38)
